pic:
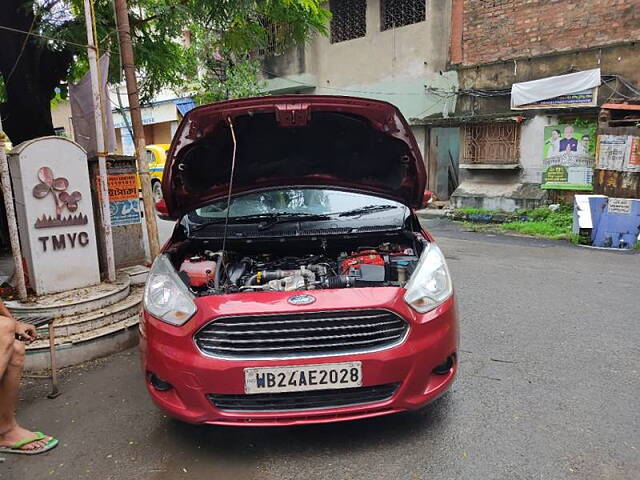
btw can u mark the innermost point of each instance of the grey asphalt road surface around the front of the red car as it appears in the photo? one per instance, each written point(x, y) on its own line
point(548, 389)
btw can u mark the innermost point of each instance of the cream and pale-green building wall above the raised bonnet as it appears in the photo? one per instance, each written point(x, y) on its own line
point(394, 65)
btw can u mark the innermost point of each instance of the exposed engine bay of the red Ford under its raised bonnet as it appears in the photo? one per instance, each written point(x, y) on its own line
point(209, 272)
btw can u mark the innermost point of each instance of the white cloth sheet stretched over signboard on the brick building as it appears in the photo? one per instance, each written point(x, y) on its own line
point(527, 93)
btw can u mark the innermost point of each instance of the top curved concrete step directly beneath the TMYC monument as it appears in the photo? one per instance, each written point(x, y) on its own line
point(74, 302)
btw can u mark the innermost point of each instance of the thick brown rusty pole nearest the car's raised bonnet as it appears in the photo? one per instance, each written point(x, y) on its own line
point(128, 65)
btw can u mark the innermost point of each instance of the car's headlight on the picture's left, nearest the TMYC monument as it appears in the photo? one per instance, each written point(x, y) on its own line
point(166, 297)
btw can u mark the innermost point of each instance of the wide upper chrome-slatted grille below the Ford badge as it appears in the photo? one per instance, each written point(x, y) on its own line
point(301, 334)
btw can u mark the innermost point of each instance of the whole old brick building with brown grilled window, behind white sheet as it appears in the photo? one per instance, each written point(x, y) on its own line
point(497, 43)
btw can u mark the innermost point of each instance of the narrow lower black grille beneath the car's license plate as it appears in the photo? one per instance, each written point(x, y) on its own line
point(274, 402)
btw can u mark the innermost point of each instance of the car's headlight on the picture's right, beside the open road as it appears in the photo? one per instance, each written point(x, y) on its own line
point(430, 285)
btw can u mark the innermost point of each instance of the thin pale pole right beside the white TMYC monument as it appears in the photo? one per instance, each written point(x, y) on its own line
point(100, 145)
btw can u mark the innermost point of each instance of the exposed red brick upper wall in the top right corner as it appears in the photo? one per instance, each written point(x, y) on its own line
point(495, 30)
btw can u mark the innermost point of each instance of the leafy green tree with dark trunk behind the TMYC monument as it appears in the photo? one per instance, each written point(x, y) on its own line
point(36, 68)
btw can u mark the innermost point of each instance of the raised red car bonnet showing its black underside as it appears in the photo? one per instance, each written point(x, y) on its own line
point(348, 143)
